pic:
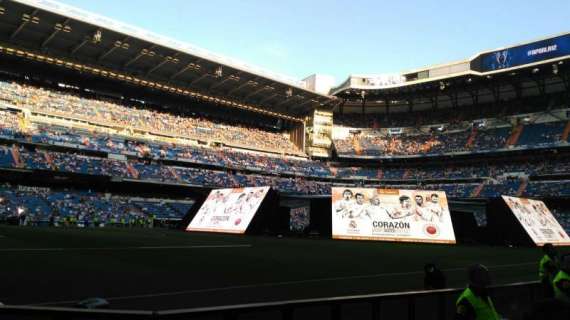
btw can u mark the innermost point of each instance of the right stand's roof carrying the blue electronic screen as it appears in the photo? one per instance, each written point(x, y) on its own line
point(532, 68)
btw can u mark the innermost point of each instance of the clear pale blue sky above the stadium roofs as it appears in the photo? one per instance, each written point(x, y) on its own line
point(301, 37)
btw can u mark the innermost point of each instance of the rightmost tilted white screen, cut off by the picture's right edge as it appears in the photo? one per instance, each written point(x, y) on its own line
point(537, 221)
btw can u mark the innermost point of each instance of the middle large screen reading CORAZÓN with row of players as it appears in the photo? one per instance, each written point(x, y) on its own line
point(391, 215)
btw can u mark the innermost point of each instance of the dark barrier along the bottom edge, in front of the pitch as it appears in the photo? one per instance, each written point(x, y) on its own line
point(510, 300)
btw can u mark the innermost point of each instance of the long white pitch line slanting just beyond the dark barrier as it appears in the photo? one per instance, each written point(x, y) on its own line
point(271, 284)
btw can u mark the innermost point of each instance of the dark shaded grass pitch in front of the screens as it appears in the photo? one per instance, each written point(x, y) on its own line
point(164, 269)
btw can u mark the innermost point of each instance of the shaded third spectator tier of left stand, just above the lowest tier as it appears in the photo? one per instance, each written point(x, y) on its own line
point(154, 171)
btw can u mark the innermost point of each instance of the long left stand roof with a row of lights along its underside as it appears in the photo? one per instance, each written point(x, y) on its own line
point(46, 31)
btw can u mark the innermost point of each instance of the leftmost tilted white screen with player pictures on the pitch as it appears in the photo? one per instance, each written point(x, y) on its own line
point(228, 210)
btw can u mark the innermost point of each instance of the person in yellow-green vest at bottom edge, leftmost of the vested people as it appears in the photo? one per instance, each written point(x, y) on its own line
point(474, 303)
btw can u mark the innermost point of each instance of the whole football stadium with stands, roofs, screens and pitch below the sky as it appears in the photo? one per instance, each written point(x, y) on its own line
point(143, 178)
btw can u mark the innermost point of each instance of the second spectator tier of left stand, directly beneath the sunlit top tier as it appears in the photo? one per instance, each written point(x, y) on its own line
point(221, 157)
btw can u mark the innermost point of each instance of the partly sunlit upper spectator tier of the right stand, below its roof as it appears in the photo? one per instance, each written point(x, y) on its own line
point(479, 137)
